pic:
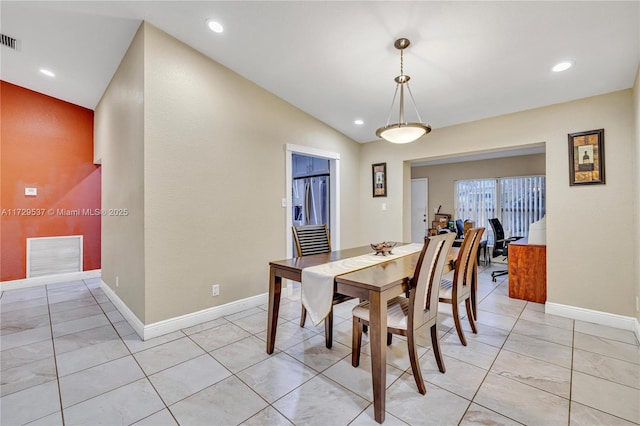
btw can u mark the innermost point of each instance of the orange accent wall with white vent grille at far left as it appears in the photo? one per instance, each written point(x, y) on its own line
point(47, 144)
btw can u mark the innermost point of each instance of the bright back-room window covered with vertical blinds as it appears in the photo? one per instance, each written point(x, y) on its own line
point(516, 201)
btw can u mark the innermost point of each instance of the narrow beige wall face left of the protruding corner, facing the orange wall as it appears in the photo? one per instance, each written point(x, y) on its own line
point(119, 146)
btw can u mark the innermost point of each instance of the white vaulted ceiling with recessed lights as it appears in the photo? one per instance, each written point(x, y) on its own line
point(336, 60)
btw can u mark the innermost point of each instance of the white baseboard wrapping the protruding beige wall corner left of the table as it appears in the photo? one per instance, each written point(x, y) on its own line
point(170, 325)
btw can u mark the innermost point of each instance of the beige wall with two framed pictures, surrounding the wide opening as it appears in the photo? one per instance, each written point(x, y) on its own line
point(589, 265)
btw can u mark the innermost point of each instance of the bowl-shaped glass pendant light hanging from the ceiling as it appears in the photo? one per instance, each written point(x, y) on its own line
point(402, 132)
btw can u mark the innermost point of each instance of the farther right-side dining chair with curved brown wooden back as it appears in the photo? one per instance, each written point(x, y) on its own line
point(463, 285)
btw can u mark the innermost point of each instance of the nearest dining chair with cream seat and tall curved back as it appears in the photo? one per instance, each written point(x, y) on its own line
point(406, 315)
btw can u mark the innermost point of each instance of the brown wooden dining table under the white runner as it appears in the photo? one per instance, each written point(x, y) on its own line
point(377, 284)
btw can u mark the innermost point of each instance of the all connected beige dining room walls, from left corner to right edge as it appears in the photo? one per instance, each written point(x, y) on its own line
point(190, 148)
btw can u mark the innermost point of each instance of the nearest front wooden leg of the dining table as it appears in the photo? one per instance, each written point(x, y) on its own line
point(377, 334)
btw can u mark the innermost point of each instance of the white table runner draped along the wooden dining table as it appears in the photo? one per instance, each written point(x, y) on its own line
point(317, 281)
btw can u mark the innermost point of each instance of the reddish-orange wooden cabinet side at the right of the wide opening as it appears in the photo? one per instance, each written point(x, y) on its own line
point(527, 271)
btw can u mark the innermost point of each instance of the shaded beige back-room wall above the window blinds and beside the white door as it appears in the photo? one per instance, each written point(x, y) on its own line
point(442, 176)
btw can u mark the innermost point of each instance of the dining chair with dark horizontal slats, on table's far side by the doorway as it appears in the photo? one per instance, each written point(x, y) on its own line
point(314, 239)
